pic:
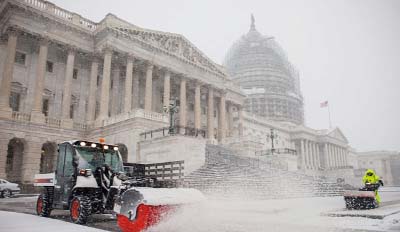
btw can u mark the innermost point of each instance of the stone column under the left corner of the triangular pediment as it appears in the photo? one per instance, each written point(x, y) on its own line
point(105, 85)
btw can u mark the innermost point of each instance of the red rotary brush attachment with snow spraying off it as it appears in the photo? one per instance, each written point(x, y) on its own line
point(139, 208)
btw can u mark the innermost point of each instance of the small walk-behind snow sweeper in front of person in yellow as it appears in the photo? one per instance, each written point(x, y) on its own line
point(364, 198)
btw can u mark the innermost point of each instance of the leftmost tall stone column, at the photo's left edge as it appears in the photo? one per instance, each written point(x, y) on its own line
point(8, 70)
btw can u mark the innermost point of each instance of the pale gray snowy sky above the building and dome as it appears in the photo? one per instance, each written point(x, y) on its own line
point(347, 51)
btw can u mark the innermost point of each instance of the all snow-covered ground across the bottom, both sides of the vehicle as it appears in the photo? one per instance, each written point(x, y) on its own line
point(229, 215)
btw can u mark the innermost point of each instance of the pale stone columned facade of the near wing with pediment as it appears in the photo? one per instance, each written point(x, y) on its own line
point(65, 77)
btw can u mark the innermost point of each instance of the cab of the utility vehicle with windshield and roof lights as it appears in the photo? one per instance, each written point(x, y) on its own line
point(77, 161)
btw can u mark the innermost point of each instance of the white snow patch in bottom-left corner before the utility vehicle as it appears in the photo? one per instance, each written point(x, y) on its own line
point(18, 222)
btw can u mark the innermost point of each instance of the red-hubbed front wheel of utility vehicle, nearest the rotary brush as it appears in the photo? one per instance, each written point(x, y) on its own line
point(80, 209)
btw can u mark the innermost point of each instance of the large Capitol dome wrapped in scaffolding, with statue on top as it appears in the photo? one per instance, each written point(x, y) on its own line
point(259, 65)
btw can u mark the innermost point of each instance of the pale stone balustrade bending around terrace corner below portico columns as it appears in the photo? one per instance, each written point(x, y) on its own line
point(136, 113)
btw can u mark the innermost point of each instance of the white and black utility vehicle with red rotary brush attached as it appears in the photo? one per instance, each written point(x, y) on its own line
point(89, 178)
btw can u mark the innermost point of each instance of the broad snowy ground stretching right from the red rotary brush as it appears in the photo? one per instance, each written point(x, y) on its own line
point(305, 214)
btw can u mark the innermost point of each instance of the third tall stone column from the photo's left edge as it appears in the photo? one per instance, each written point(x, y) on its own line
point(66, 121)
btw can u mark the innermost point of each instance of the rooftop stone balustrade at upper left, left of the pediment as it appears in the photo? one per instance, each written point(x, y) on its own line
point(61, 13)
